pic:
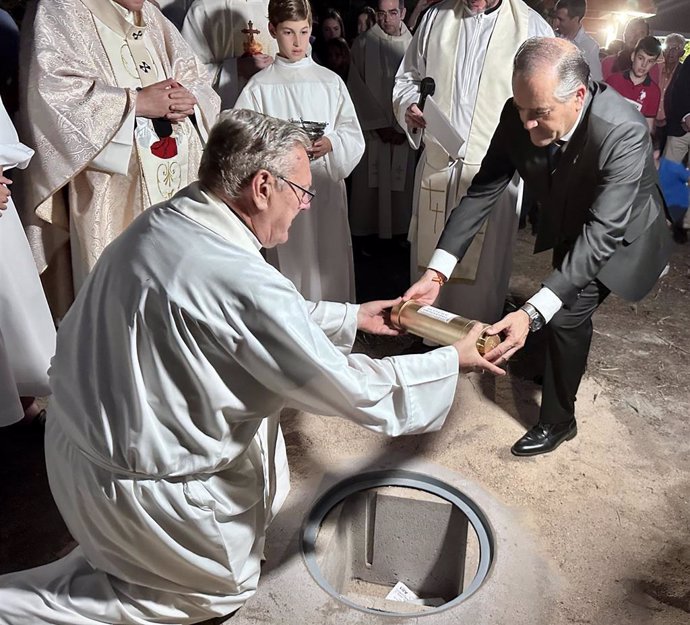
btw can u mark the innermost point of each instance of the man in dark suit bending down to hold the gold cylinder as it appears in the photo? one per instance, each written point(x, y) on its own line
point(586, 155)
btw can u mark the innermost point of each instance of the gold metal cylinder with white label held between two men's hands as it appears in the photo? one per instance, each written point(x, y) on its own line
point(438, 325)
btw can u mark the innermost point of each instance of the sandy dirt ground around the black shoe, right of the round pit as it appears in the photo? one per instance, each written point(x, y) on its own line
point(611, 509)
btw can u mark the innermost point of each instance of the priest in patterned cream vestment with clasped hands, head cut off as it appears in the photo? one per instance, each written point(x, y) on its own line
point(116, 106)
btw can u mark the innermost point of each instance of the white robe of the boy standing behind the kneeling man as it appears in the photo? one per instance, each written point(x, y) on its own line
point(318, 254)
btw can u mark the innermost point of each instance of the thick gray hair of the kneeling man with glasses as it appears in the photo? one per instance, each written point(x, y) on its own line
point(243, 142)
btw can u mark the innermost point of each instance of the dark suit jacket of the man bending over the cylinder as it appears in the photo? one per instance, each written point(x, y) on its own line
point(601, 210)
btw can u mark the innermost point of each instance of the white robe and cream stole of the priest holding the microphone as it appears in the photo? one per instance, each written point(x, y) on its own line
point(467, 47)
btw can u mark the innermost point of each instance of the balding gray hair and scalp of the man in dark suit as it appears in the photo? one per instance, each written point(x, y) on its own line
point(542, 54)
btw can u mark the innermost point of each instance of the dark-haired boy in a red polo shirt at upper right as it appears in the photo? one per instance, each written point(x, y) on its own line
point(635, 84)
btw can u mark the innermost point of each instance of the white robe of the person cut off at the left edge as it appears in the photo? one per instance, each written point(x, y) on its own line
point(27, 334)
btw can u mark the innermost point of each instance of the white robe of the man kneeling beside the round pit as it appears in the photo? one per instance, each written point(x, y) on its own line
point(169, 464)
